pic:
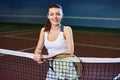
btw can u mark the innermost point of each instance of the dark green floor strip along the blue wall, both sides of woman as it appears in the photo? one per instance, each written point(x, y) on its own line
point(7, 27)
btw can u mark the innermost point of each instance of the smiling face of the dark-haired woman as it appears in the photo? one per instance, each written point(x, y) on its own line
point(55, 15)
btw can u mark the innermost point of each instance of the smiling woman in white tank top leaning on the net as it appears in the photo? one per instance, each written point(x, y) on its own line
point(56, 38)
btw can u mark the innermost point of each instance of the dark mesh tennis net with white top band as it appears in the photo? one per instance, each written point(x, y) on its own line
point(16, 65)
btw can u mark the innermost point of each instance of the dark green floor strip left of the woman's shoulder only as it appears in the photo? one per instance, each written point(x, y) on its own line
point(7, 27)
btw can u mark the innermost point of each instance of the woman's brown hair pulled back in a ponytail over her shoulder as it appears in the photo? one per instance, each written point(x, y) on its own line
point(48, 24)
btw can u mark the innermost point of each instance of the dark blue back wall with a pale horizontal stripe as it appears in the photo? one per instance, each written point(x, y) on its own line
point(92, 13)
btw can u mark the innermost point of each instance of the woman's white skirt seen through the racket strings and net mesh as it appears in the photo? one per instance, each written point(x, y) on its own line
point(51, 75)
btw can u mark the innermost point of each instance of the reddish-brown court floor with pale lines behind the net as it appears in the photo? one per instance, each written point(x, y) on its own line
point(87, 43)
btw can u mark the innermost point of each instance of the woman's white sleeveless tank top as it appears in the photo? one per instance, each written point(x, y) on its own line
point(57, 46)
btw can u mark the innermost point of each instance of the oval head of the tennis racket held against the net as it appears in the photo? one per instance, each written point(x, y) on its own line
point(66, 66)
